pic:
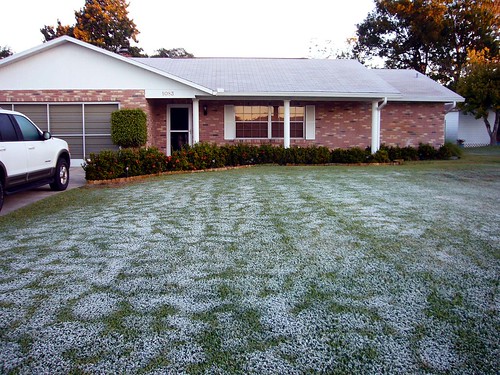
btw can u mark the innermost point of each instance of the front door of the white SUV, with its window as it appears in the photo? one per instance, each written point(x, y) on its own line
point(40, 158)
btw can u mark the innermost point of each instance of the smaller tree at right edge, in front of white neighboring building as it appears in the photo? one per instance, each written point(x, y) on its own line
point(481, 88)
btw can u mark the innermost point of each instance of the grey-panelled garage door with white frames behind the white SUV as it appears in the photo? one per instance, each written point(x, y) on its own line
point(85, 126)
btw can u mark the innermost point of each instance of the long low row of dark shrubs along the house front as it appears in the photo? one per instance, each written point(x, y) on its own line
point(141, 161)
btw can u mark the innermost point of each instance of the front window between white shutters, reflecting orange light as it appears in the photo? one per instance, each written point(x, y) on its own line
point(267, 121)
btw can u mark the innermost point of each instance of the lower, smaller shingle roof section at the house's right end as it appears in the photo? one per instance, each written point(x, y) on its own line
point(415, 86)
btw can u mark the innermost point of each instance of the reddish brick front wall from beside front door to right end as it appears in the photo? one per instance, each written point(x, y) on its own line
point(338, 124)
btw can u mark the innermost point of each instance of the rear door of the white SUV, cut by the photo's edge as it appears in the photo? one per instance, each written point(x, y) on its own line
point(13, 153)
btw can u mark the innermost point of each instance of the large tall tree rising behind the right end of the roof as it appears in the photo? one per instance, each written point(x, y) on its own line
point(430, 36)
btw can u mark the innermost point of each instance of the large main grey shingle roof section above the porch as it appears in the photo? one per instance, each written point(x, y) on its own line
point(334, 78)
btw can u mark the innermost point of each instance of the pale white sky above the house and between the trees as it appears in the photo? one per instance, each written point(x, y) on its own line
point(206, 28)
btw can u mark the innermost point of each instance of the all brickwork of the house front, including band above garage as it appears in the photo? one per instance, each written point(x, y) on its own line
point(338, 124)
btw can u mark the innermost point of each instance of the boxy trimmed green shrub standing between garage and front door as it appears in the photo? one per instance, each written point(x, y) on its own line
point(129, 128)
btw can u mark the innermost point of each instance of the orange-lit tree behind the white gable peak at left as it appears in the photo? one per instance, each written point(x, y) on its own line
point(103, 23)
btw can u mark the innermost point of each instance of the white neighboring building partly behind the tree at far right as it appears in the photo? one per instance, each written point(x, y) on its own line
point(465, 127)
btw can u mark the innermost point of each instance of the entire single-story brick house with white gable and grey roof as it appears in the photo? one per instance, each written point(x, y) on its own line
point(70, 88)
